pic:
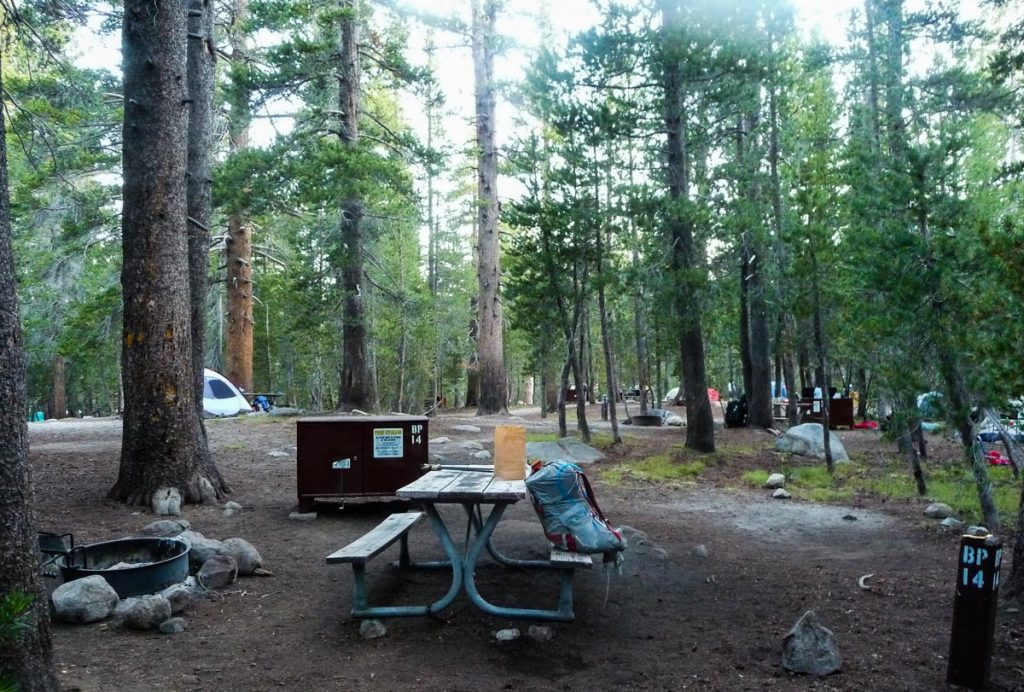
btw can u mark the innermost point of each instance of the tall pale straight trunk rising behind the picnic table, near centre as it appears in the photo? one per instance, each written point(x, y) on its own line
point(494, 396)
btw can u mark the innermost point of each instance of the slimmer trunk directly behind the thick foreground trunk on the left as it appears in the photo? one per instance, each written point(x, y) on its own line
point(199, 191)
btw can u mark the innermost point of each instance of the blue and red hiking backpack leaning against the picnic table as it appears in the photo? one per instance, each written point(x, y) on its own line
point(566, 504)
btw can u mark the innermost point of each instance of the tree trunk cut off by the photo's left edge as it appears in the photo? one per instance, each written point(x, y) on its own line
point(28, 662)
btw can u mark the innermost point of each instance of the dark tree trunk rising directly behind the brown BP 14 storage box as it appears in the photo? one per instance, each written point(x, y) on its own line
point(359, 388)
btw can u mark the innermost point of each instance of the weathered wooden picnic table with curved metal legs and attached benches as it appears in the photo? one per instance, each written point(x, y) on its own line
point(480, 494)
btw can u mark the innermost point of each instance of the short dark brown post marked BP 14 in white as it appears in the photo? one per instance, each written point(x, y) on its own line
point(974, 612)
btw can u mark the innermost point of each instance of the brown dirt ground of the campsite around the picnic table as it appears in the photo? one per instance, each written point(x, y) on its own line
point(671, 621)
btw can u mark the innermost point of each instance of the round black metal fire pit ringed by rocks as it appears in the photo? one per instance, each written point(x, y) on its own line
point(160, 564)
